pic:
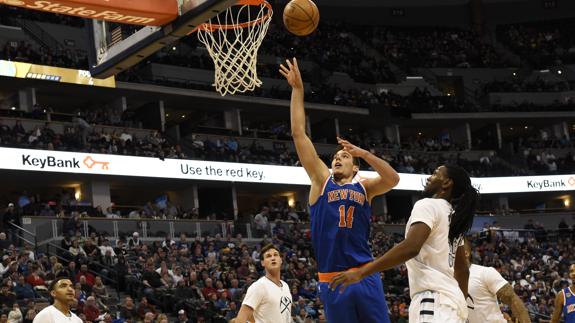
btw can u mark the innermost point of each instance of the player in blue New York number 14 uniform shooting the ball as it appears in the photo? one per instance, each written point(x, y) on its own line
point(340, 215)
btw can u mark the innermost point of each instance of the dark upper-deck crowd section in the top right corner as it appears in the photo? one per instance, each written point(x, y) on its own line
point(544, 44)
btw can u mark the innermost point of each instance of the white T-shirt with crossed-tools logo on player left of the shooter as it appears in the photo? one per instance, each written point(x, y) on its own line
point(270, 302)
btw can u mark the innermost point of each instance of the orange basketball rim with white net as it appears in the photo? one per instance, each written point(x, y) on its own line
point(233, 41)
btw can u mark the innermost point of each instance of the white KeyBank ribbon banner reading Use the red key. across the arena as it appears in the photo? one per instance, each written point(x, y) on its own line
point(98, 164)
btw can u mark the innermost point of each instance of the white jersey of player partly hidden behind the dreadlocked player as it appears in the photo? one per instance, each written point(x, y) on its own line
point(484, 283)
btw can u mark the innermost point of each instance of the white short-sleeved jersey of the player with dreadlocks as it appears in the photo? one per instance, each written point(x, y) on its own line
point(433, 268)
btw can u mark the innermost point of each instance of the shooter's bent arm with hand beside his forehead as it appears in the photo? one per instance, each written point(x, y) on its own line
point(387, 176)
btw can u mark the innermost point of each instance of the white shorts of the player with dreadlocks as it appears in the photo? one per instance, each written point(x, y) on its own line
point(432, 307)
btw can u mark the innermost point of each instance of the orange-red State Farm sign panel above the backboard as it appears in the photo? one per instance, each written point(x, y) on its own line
point(136, 12)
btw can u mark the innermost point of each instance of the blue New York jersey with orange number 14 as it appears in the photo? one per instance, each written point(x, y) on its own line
point(340, 224)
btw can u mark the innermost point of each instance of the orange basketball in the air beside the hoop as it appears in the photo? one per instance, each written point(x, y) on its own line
point(301, 17)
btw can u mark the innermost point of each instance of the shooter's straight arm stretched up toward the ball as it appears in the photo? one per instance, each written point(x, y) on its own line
point(314, 166)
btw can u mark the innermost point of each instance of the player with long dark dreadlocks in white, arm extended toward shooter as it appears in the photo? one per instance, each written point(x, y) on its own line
point(433, 249)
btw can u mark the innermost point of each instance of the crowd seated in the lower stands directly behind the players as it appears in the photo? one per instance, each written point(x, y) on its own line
point(205, 280)
